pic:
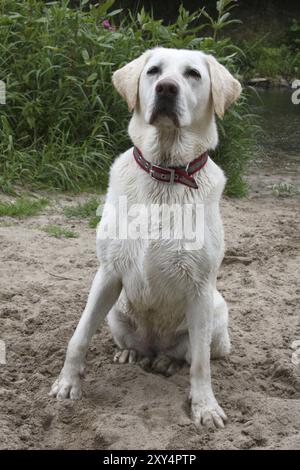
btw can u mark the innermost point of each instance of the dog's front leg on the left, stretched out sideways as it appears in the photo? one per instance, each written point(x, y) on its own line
point(104, 293)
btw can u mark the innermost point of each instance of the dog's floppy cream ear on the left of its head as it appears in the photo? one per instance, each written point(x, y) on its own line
point(126, 79)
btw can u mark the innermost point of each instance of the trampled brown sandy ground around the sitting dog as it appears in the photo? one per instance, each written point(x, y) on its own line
point(44, 286)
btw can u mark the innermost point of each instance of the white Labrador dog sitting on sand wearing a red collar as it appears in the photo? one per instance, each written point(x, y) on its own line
point(160, 297)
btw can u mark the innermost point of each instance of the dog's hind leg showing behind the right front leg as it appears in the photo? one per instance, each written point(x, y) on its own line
point(220, 345)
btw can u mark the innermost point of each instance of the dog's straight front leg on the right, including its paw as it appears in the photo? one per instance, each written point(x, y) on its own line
point(205, 408)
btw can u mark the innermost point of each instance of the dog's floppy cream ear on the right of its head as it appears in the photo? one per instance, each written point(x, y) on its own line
point(225, 88)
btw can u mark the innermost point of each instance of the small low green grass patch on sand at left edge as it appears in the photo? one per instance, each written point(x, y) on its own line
point(23, 207)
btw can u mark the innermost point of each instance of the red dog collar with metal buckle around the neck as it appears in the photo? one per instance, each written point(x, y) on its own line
point(171, 175)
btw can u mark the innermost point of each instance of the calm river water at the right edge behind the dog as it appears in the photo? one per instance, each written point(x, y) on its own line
point(279, 158)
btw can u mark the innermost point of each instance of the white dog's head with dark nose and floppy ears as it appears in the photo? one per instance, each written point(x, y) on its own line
point(171, 87)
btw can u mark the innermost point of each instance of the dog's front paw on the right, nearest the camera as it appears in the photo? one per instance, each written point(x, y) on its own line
point(209, 415)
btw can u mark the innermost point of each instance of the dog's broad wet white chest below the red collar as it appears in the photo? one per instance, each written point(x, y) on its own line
point(159, 270)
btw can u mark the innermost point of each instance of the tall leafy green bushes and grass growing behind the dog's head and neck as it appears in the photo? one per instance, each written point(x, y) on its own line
point(63, 122)
